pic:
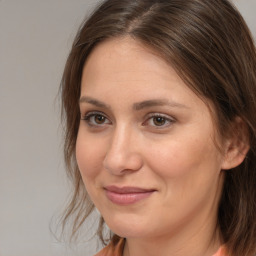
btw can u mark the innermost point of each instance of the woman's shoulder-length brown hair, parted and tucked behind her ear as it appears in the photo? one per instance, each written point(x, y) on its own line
point(211, 48)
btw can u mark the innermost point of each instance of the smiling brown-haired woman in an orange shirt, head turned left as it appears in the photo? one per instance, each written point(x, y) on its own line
point(159, 104)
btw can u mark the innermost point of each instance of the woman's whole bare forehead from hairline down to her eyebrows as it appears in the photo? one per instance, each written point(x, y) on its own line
point(124, 66)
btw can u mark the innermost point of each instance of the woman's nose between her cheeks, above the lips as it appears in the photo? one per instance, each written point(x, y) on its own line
point(123, 155)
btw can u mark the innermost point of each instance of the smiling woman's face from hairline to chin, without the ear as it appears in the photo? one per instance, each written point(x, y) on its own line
point(145, 146)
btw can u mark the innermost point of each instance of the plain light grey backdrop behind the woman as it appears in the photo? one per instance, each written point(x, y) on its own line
point(35, 38)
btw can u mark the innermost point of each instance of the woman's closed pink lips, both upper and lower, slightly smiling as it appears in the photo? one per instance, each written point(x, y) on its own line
point(127, 195)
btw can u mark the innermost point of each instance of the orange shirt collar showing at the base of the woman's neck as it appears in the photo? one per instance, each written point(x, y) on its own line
point(117, 250)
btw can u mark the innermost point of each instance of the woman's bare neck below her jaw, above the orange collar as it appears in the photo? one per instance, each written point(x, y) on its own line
point(199, 237)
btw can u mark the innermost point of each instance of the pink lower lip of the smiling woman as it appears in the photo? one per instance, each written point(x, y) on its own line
point(129, 198)
